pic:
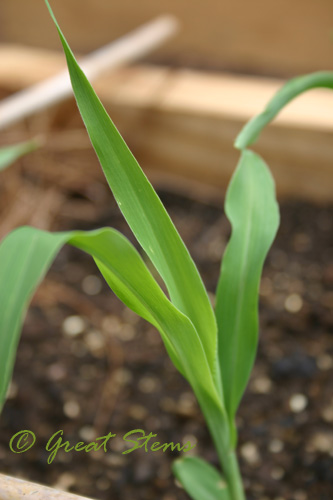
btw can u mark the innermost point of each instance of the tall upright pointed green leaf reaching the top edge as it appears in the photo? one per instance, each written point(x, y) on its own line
point(143, 209)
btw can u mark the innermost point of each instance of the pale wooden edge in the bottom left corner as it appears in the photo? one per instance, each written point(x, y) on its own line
point(12, 488)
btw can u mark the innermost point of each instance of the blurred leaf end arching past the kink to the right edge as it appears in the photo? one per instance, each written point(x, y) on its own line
point(250, 133)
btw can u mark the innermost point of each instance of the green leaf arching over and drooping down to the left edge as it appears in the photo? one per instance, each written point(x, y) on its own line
point(26, 254)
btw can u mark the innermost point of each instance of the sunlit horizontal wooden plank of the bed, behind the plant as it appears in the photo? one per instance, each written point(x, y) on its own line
point(181, 124)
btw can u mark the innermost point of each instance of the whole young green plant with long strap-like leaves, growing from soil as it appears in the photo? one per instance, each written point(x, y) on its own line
point(213, 350)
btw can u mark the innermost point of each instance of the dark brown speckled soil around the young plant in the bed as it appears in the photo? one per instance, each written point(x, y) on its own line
point(106, 370)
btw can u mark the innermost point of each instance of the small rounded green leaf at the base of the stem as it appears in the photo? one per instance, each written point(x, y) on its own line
point(199, 479)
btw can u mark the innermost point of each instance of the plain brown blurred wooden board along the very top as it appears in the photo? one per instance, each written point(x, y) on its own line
point(278, 38)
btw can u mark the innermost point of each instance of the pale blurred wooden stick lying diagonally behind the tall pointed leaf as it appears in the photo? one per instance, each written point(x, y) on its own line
point(57, 88)
